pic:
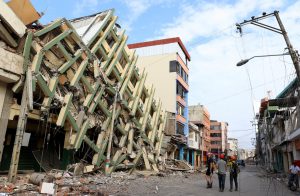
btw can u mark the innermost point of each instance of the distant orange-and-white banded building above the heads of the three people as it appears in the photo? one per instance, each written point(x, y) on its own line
point(218, 136)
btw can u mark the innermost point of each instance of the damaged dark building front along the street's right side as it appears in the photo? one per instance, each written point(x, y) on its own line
point(278, 136)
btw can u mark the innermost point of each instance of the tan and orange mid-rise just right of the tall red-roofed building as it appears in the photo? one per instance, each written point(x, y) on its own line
point(200, 116)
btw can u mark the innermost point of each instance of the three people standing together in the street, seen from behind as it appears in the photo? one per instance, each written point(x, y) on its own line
point(221, 166)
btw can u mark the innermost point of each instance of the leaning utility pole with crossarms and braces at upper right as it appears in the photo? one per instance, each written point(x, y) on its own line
point(281, 30)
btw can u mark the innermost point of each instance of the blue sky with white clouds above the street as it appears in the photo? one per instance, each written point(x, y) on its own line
point(207, 28)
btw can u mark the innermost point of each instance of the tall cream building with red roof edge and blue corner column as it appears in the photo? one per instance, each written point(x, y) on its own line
point(166, 64)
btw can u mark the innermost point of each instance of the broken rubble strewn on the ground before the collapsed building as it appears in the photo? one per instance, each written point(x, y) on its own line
point(66, 184)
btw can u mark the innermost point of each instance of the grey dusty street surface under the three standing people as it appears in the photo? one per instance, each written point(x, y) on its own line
point(252, 182)
